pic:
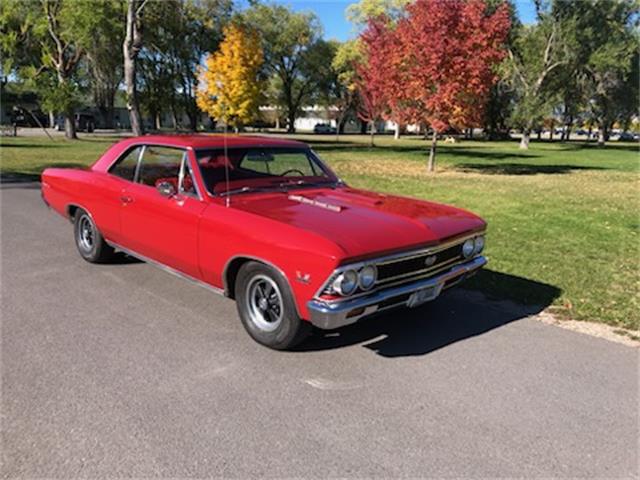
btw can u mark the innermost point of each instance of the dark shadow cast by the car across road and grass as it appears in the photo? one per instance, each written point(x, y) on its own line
point(457, 315)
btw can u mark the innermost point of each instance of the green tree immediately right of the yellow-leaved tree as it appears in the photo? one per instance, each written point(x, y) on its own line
point(293, 50)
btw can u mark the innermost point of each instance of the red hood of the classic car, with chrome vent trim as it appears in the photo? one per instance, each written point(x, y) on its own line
point(362, 223)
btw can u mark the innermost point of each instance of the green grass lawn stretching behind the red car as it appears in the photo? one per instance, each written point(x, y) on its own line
point(564, 219)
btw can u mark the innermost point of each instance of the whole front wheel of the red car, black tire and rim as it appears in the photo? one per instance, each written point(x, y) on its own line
point(280, 329)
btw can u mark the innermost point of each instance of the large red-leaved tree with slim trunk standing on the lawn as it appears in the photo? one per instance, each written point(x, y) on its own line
point(448, 83)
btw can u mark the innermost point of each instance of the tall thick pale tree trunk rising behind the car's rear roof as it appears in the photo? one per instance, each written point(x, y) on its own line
point(131, 47)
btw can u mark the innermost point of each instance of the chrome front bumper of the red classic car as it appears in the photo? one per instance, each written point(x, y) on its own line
point(329, 315)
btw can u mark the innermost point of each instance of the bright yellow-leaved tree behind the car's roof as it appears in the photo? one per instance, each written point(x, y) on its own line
point(231, 88)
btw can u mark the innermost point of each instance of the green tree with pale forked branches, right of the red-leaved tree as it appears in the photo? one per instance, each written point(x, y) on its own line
point(537, 52)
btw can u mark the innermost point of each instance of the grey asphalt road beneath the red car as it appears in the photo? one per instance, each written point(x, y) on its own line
point(126, 371)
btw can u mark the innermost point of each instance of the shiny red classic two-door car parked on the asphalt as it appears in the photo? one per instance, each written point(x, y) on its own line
point(265, 222)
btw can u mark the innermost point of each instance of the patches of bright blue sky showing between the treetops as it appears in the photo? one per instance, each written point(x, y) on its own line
point(333, 18)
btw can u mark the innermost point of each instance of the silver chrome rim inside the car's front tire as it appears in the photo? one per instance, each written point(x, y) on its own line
point(264, 303)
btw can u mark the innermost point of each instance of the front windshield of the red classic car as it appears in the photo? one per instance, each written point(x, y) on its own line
point(261, 168)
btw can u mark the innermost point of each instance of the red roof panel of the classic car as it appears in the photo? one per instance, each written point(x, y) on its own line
point(203, 141)
